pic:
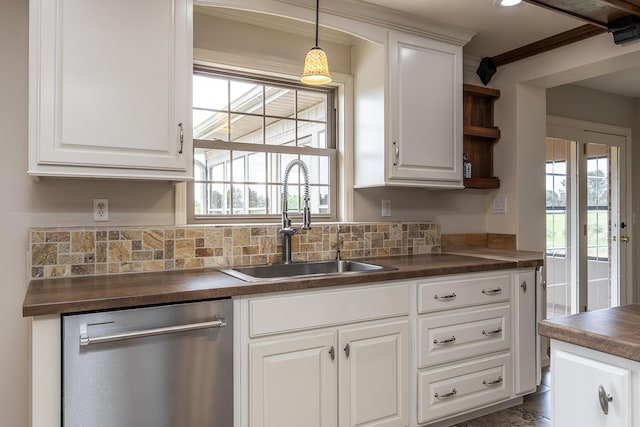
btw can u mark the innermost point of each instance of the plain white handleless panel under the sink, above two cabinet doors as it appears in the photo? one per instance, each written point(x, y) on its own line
point(307, 310)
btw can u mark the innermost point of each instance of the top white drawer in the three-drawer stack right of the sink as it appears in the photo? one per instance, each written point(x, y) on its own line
point(463, 291)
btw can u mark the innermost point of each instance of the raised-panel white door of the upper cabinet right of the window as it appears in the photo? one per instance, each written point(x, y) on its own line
point(425, 82)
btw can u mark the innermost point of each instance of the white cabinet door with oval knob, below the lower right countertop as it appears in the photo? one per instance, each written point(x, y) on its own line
point(576, 381)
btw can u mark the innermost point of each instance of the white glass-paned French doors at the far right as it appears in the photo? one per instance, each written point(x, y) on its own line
point(586, 236)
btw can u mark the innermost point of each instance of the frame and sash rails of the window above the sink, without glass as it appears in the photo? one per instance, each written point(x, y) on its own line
point(331, 152)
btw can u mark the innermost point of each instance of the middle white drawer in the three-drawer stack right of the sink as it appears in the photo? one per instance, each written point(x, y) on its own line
point(447, 337)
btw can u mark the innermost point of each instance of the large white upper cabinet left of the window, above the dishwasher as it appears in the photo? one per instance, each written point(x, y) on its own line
point(110, 89)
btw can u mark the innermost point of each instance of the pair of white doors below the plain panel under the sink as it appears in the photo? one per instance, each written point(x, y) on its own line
point(362, 370)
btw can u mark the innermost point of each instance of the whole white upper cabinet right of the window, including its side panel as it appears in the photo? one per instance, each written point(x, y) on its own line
point(409, 115)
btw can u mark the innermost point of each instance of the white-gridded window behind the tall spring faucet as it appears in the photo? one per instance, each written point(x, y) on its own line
point(246, 130)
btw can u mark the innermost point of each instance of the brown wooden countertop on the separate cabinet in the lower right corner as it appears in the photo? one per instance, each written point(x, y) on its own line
point(614, 330)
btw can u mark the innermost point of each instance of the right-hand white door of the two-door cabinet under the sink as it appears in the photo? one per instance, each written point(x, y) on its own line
point(374, 375)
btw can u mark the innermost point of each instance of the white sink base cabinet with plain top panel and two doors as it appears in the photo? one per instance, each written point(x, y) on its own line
point(339, 360)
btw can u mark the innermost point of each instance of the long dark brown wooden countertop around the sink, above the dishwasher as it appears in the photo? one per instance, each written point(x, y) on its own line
point(88, 293)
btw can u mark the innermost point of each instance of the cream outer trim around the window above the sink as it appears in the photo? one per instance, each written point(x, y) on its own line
point(344, 128)
